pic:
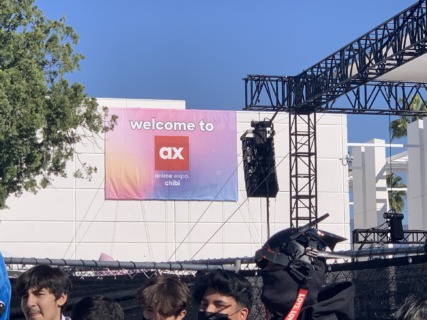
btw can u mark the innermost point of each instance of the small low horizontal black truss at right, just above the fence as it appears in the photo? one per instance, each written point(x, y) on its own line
point(383, 236)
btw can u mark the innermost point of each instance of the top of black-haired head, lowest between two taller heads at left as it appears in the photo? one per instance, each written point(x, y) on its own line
point(97, 308)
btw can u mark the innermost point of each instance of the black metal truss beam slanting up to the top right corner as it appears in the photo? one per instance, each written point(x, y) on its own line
point(390, 45)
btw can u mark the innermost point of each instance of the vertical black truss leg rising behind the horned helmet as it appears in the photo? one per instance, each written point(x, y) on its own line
point(303, 168)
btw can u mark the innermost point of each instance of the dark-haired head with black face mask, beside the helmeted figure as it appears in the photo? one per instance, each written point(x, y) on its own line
point(223, 295)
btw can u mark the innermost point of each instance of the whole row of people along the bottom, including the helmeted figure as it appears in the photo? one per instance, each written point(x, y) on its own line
point(293, 288)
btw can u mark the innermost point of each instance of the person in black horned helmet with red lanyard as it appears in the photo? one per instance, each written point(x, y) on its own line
point(293, 277)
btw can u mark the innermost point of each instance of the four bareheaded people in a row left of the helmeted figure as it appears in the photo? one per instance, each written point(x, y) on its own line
point(220, 294)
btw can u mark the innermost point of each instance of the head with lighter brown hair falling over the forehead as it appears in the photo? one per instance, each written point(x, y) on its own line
point(163, 297)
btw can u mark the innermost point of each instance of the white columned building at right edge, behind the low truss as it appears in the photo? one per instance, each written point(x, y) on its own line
point(369, 169)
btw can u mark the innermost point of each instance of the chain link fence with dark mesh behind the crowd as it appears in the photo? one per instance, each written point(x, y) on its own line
point(382, 285)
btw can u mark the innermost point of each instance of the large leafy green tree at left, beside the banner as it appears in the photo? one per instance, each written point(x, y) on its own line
point(40, 111)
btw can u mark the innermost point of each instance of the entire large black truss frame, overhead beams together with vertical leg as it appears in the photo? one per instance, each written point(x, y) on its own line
point(349, 73)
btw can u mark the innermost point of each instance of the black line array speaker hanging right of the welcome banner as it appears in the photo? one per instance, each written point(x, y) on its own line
point(260, 167)
